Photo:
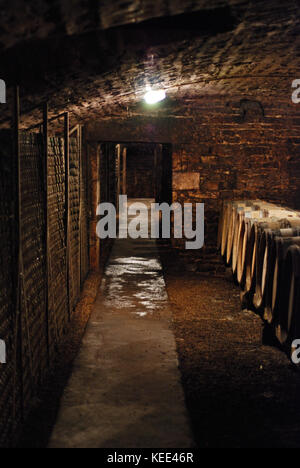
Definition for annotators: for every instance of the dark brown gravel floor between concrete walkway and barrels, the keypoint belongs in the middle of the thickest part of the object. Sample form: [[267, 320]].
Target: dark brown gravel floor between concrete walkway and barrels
[[239, 392]]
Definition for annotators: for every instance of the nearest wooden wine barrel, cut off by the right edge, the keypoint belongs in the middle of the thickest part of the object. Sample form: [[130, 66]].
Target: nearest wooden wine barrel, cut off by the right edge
[[288, 327]]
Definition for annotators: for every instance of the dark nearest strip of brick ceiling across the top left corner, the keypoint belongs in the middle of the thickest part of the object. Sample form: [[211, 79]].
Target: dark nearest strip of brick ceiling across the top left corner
[[24, 20]]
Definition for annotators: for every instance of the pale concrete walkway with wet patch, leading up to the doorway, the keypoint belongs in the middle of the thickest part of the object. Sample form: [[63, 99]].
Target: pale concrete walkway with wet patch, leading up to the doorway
[[125, 389]]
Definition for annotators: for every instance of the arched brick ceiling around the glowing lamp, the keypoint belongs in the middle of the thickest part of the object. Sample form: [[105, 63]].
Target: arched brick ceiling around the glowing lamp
[[96, 62]]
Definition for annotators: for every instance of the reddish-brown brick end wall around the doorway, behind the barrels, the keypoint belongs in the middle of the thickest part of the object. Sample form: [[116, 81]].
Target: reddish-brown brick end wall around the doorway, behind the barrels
[[223, 148]]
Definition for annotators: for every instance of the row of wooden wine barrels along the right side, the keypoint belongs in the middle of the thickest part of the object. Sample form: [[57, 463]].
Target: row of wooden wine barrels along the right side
[[260, 241]]
